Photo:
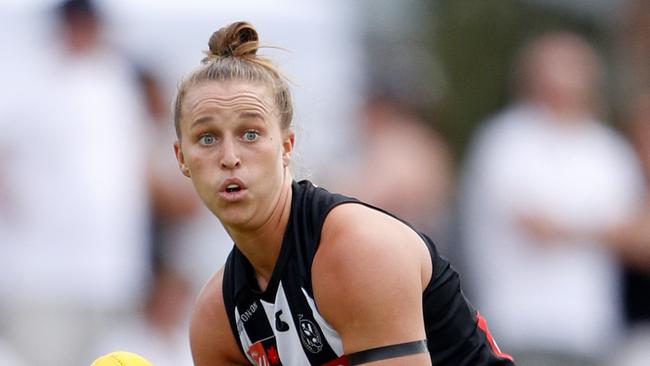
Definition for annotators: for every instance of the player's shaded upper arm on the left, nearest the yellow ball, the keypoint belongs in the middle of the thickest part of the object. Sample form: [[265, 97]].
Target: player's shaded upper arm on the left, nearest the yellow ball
[[211, 337]]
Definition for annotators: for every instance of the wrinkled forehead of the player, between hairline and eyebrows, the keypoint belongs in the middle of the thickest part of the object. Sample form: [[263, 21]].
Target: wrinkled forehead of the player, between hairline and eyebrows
[[228, 94]]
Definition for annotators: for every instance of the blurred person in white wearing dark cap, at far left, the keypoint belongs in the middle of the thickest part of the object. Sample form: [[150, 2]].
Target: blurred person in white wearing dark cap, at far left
[[74, 227]]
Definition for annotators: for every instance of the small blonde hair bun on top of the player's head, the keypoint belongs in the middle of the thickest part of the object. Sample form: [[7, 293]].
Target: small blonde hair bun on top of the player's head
[[235, 40]]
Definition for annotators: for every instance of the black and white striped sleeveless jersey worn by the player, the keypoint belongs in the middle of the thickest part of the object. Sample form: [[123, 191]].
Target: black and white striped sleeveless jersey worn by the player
[[282, 325]]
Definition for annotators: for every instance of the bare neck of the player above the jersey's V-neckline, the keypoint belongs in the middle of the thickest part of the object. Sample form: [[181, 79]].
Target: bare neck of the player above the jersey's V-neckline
[[262, 245]]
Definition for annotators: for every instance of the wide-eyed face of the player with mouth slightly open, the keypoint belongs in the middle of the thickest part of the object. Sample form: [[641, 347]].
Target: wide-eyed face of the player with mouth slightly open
[[233, 148]]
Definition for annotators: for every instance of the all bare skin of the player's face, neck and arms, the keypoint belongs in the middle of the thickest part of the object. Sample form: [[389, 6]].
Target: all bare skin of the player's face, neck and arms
[[231, 136]]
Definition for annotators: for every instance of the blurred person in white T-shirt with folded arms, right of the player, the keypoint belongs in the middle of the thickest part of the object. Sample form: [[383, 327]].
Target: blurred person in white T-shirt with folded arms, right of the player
[[542, 175]]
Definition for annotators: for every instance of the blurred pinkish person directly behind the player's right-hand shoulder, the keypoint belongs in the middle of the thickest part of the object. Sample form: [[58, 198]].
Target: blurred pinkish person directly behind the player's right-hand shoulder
[[403, 166]]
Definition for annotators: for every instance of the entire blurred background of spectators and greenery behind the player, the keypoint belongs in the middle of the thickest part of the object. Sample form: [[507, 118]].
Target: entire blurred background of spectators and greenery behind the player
[[516, 133]]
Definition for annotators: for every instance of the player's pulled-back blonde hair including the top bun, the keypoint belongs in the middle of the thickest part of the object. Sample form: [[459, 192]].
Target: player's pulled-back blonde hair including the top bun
[[232, 55]]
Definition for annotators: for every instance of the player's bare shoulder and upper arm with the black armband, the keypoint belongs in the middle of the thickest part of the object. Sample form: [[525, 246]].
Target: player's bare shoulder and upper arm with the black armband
[[368, 277]]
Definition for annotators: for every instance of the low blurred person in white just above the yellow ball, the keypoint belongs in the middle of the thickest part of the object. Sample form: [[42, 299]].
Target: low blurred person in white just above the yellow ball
[[160, 331]]
